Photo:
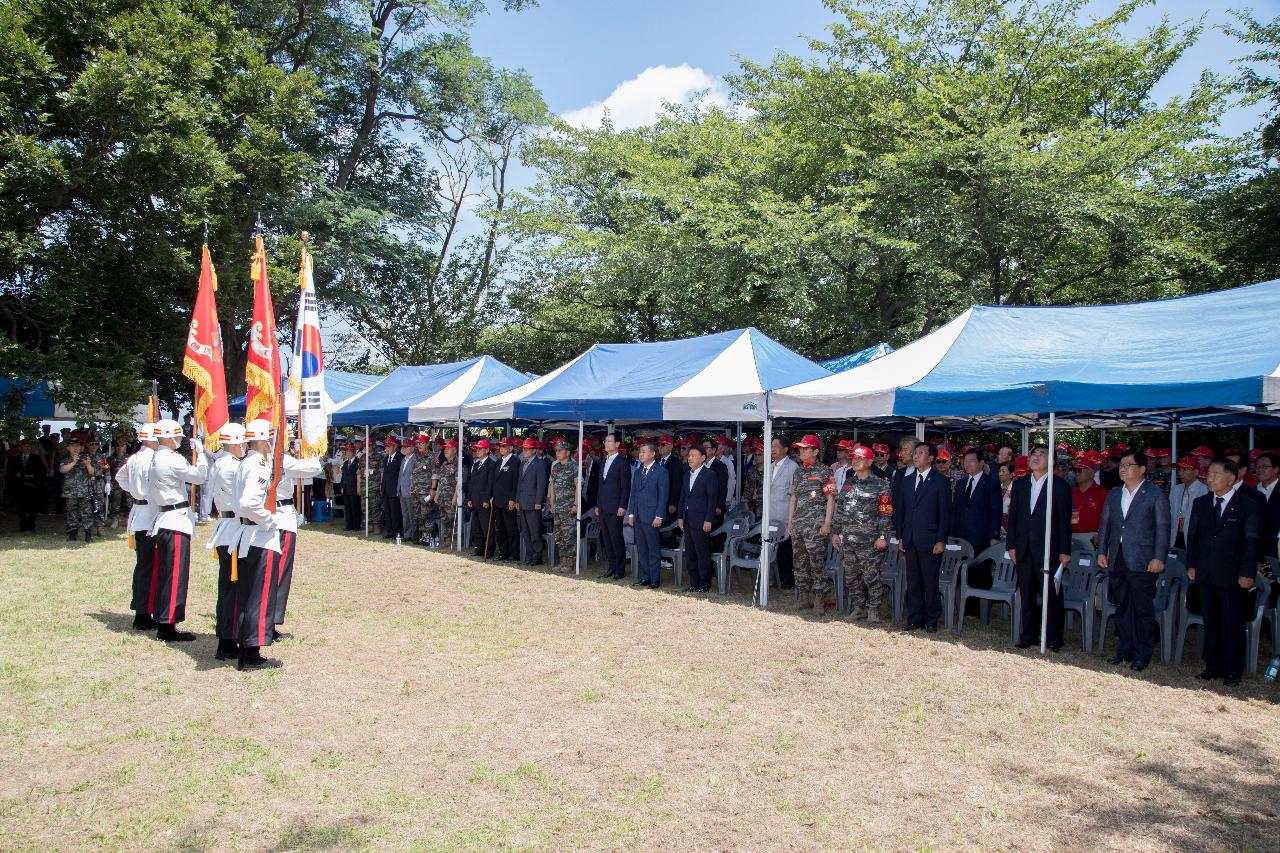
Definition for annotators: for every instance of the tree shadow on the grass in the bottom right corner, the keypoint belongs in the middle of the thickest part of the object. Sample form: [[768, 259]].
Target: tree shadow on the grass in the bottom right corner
[[1228, 810]]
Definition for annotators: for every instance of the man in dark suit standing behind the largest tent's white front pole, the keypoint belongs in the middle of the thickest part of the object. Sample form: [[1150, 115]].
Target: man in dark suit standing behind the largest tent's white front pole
[[1028, 503]]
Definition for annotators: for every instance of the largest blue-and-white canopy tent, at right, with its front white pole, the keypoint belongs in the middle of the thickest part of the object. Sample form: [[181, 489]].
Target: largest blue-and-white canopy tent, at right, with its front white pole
[[1215, 350]]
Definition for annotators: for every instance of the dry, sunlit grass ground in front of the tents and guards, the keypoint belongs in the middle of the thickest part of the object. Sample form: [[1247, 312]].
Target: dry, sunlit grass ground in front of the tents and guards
[[431, 703]]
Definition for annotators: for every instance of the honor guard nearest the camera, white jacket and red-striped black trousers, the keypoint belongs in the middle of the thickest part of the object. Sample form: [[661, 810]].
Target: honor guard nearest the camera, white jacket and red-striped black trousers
[[258, 550]]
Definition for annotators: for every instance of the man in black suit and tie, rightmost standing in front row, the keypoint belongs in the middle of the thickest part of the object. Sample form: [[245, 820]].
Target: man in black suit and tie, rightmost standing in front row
[[1222, 559]]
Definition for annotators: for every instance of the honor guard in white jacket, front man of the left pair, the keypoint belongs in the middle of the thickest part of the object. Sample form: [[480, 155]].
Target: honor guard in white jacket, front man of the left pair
[[167, 487]]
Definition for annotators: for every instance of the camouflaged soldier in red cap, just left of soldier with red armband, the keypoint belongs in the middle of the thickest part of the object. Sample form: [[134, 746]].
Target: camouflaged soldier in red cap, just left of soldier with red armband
[[810, 524]]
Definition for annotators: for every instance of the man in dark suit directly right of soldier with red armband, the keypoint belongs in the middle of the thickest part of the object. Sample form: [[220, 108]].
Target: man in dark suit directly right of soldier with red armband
[[922, 519]]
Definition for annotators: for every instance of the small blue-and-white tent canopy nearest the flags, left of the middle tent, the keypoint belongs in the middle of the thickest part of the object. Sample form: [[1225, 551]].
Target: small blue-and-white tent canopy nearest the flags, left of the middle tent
[[427, 393]]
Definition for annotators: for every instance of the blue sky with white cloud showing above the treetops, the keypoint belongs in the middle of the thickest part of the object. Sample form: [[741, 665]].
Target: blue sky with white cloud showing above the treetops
[[634, 54]]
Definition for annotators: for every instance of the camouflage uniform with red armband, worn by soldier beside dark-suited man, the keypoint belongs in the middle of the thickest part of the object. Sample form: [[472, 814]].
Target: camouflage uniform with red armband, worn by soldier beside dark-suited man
[[865, 513]]
